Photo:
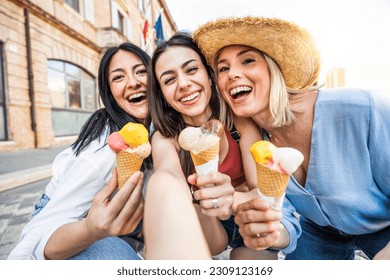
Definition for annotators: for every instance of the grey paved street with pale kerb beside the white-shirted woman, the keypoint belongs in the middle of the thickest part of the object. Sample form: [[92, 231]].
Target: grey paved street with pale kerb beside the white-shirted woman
[[24, 175]]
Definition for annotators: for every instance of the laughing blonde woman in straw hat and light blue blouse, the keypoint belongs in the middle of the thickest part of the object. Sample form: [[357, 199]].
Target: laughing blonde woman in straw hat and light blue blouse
[[267, 70]]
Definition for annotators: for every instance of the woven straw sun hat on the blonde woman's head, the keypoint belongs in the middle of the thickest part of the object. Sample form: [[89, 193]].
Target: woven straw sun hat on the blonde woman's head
[[292, 47]]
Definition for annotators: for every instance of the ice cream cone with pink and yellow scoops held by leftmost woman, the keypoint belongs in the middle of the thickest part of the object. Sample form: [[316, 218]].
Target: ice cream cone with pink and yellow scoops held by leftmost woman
[[131, 146]]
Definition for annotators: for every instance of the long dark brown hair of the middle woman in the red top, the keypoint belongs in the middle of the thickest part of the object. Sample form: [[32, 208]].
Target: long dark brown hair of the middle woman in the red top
[[167, 120]]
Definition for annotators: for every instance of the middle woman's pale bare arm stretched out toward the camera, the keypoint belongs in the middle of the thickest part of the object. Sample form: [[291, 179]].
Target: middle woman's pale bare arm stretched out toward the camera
[[171, 226]]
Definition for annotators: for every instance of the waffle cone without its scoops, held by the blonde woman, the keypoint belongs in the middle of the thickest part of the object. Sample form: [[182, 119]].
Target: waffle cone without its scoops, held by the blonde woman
[[271, 183]]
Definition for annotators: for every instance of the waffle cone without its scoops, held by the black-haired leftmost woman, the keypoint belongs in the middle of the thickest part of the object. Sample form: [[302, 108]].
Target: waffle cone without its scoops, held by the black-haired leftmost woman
[[126, 164]]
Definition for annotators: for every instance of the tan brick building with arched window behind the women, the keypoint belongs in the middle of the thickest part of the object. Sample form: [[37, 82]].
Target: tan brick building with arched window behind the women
[[49, 56]]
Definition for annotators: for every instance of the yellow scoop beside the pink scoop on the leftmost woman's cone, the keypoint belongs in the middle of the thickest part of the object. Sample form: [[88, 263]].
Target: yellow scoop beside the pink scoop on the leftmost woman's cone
[[134, 134]]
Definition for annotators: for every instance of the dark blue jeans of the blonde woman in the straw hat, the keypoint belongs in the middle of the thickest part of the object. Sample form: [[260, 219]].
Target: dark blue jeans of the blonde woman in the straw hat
[[328, 243]]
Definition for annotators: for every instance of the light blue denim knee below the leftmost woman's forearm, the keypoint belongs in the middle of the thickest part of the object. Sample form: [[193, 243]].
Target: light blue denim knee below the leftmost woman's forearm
[[109, 248]]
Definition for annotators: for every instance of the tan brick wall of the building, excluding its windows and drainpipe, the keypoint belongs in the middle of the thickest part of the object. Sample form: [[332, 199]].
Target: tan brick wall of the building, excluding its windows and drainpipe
[[57, 32]]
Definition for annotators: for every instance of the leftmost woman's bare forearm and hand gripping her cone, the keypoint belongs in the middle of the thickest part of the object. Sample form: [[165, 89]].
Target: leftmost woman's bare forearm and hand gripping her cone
[[106, 217]]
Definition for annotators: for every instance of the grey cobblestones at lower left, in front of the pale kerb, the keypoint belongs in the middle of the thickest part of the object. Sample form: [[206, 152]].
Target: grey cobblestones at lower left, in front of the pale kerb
[[16, 206]]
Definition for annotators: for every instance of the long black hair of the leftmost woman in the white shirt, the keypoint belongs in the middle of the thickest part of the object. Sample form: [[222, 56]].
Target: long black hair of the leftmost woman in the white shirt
[[112, 115]]
